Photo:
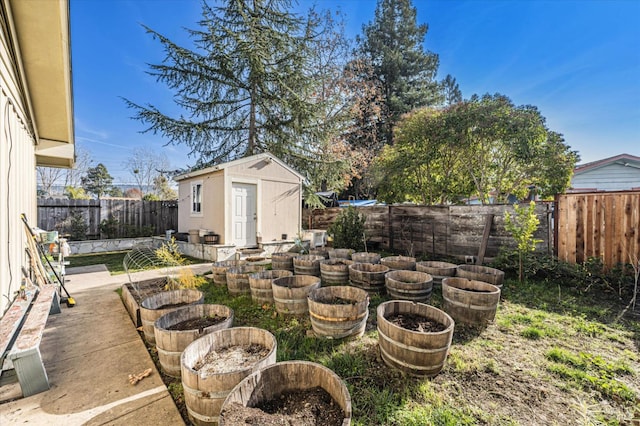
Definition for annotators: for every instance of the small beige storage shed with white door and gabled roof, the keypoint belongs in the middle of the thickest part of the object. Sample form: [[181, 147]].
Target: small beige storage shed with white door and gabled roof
[[245, 201]]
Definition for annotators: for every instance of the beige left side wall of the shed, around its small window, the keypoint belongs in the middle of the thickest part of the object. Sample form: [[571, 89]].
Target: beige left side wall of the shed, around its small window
[[212, 214]]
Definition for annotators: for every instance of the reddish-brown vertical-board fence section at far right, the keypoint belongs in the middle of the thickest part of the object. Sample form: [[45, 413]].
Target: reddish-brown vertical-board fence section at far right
[[603, 225]]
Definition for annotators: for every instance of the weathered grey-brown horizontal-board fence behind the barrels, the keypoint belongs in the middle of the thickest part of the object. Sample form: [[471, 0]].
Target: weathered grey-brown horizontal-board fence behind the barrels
[[439, 231]]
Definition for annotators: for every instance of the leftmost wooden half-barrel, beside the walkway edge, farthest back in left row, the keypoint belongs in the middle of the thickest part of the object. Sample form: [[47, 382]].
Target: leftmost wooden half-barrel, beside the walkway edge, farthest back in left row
[[153, 307]]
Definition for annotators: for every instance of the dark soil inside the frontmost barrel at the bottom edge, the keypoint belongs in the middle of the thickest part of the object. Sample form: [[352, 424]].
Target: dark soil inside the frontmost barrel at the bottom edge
[[311, 407]]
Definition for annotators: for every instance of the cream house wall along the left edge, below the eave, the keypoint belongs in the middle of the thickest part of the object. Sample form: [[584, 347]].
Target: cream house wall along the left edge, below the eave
[[17, 177]]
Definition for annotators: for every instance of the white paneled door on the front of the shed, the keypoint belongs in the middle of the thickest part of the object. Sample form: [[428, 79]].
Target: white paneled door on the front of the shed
[[244, 214]]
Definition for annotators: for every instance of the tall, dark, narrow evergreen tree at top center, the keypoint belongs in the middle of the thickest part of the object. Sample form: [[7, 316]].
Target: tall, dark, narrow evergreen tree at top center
[[393, 43]]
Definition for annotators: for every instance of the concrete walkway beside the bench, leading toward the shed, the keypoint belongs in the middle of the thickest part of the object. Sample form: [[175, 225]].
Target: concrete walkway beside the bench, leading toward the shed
[[89, 351]]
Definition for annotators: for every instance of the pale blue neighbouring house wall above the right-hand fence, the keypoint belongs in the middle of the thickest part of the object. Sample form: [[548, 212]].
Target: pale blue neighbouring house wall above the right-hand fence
[[611, 177]]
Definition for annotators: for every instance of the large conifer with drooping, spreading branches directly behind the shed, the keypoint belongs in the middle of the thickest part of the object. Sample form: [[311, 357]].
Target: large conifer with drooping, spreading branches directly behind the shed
[[243, 89]]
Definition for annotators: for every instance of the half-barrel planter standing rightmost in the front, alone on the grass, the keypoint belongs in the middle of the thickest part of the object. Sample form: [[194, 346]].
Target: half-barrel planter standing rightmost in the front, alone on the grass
[[419, 352]]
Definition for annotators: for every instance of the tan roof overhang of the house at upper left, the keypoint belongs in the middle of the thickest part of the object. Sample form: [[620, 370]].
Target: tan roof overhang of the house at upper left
[[44, 56]]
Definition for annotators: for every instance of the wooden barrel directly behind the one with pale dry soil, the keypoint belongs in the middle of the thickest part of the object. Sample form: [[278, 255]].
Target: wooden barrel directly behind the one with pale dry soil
[[176, 330]]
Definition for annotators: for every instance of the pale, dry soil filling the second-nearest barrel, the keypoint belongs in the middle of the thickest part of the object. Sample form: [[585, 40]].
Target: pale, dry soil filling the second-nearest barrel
[[231, 358]]
